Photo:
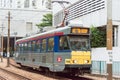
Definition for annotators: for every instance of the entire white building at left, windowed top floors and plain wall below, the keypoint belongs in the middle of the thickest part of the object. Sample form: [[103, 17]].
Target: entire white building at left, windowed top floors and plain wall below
[[25, 14]]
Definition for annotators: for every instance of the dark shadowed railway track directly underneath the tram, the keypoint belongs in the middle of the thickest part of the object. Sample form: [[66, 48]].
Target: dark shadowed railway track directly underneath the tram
[[59, 76]]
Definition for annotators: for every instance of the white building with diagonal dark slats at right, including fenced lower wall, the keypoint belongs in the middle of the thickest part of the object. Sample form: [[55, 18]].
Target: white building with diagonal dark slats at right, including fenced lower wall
[[94, 12]]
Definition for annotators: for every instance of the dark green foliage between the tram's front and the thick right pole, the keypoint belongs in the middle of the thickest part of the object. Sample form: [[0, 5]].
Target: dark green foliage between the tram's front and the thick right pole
[[98, 37]]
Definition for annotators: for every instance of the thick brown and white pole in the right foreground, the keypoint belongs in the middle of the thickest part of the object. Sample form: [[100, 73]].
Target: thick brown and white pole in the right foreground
[[109, 39]]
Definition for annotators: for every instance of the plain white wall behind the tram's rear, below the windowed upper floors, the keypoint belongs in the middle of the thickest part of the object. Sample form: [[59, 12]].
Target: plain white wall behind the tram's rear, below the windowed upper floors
[[22, 21]]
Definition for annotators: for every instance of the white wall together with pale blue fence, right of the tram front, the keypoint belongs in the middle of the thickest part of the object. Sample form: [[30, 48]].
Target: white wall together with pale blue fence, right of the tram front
[[100, 58]]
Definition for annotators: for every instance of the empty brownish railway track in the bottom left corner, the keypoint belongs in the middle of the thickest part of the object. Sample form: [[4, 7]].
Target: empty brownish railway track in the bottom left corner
[[13, 75]]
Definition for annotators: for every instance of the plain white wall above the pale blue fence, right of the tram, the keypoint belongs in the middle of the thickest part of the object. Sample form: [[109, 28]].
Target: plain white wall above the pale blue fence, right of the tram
[[101, 54]]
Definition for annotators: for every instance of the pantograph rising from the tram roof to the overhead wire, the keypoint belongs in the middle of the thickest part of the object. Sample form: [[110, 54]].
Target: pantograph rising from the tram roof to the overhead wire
[[66, 12]]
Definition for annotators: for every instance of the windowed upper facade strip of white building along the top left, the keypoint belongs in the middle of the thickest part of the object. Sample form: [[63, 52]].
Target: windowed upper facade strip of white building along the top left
[[25, 4]]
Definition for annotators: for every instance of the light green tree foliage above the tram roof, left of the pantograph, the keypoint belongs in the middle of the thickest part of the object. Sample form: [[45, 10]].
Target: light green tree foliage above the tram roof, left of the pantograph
[[46, 21]]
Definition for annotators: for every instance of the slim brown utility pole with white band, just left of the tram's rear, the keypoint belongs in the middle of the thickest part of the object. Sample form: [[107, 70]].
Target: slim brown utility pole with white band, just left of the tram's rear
[[8, 41]]
